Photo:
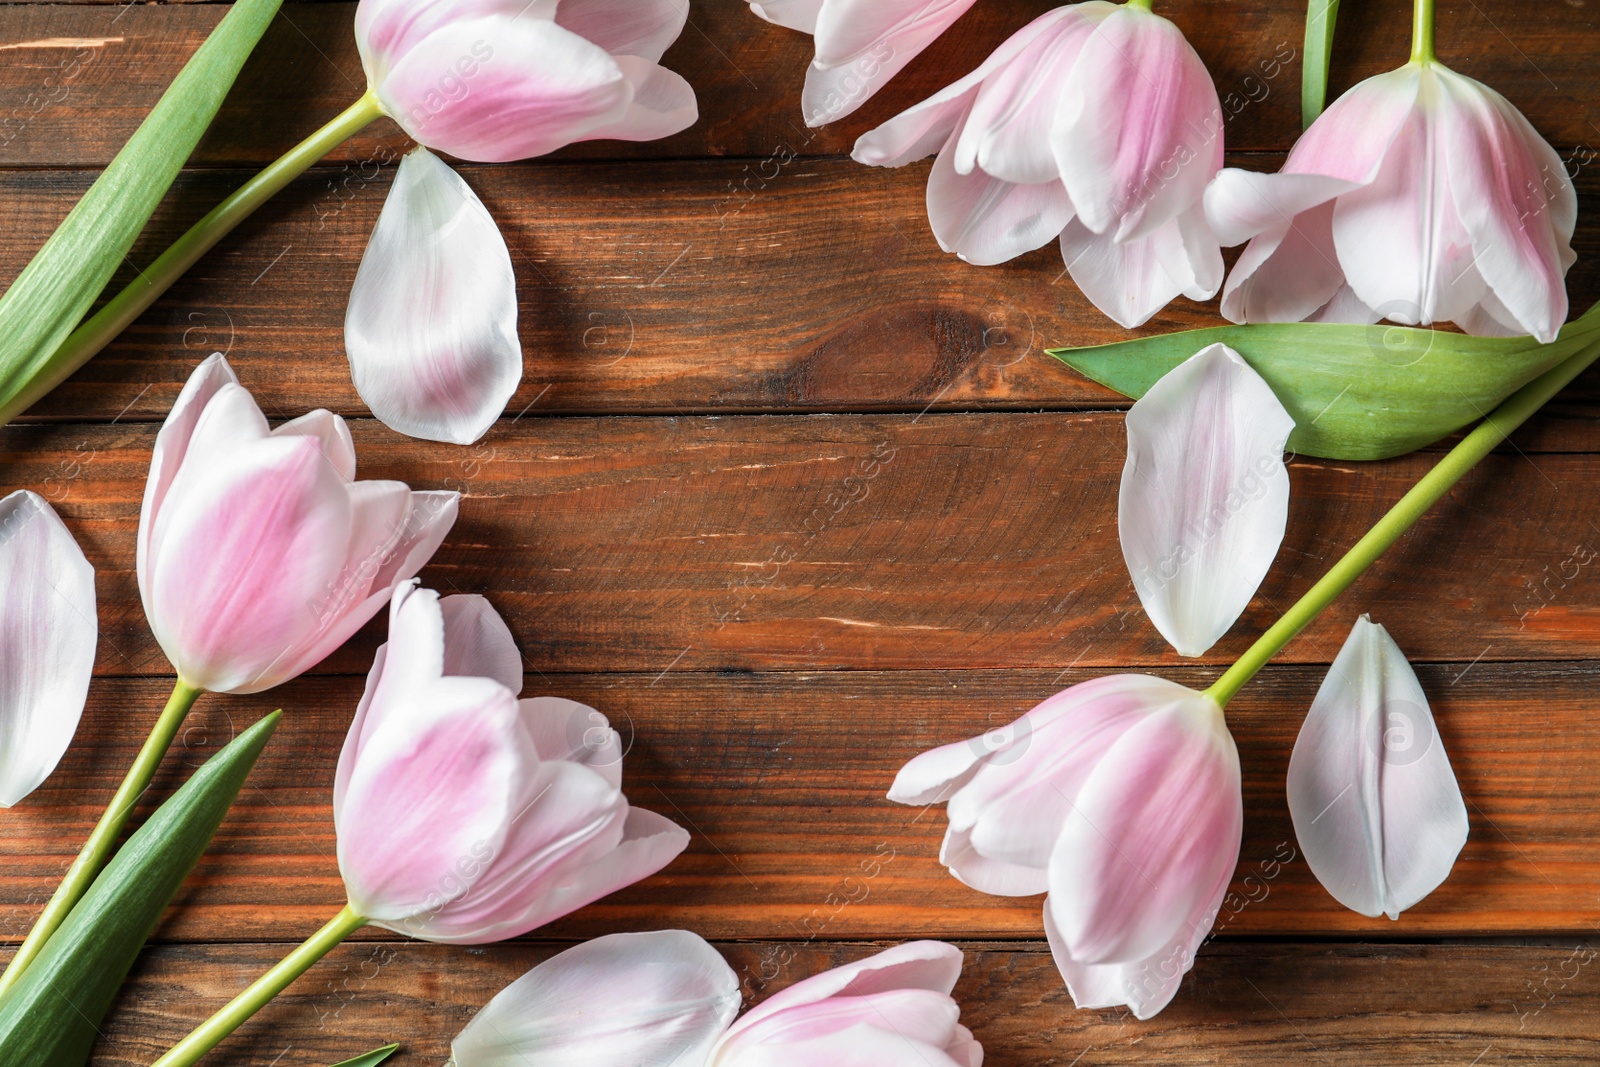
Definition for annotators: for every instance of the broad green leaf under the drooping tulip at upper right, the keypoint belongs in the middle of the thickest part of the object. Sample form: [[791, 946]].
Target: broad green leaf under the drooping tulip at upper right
[[1356, 393]]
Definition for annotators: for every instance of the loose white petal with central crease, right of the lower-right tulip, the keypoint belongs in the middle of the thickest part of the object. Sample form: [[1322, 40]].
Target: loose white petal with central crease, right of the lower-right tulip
[[1375, 804]]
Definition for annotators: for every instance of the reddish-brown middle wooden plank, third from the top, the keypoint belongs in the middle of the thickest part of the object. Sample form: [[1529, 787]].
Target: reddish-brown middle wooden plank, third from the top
[[818, 543]]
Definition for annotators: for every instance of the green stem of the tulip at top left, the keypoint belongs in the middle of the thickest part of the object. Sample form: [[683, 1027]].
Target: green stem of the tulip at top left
[[103, 327]]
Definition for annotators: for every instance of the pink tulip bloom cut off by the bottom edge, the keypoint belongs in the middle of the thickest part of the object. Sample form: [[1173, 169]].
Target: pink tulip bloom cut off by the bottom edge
[[892, 1010]]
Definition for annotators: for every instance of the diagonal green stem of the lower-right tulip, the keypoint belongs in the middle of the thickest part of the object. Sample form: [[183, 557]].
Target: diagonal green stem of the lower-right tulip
[[1434, 486]]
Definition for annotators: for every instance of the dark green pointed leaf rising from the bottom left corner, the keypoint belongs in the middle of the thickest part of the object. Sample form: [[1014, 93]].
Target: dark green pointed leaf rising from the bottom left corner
[[52, 1017]]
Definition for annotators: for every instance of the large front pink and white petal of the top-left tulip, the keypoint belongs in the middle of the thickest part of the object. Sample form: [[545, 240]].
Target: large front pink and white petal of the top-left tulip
[[502, 89]]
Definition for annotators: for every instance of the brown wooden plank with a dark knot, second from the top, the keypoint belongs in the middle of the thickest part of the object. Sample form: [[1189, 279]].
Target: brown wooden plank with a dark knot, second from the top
[[642, 290]]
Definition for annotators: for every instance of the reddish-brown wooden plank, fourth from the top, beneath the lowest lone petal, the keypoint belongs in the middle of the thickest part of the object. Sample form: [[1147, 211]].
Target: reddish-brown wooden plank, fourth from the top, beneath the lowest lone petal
[[782, 780]]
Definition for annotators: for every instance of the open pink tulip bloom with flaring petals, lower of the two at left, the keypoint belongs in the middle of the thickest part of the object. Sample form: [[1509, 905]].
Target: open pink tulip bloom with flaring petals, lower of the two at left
[[466, 815]]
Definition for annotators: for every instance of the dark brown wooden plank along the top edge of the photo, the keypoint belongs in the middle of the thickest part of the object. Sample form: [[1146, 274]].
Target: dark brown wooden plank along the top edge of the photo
[[746, 74]]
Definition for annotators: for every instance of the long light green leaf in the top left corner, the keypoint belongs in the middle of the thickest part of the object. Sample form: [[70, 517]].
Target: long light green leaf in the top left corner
[[62, 282]]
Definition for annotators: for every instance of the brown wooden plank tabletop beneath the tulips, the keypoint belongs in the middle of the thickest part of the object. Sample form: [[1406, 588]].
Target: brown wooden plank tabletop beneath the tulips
[[719, 330]]
